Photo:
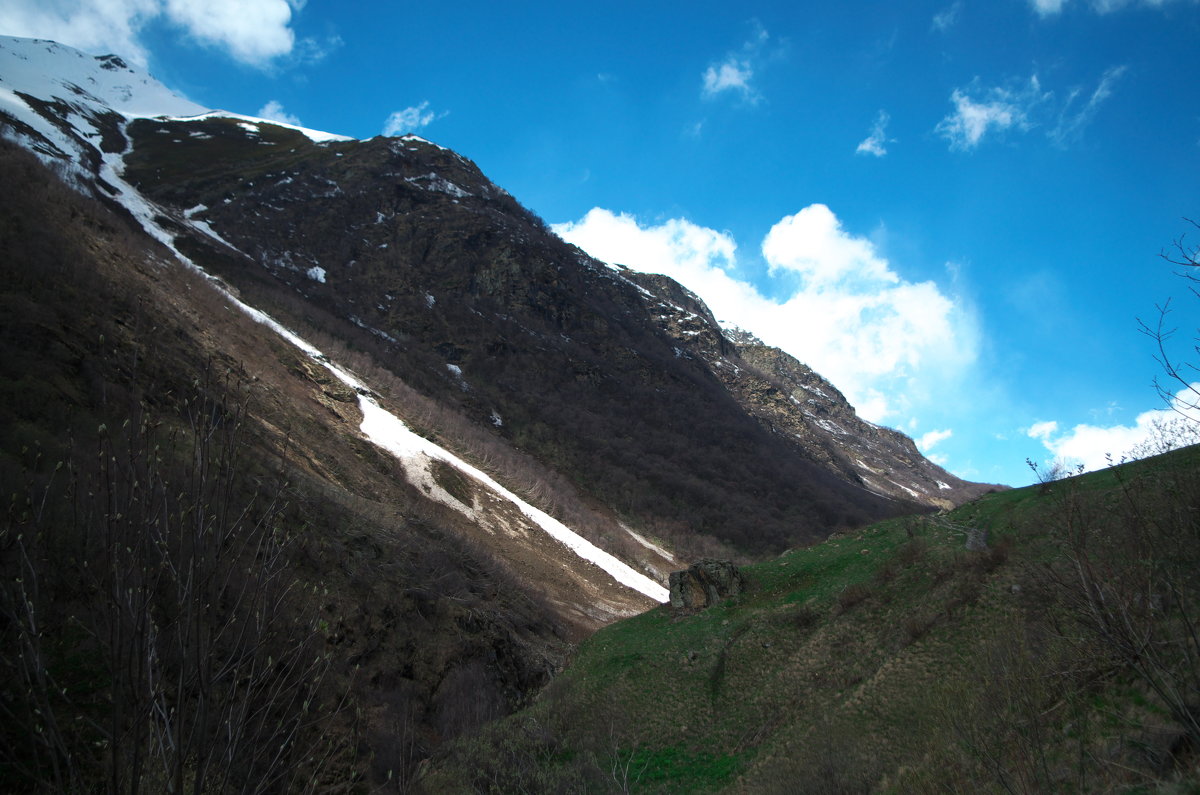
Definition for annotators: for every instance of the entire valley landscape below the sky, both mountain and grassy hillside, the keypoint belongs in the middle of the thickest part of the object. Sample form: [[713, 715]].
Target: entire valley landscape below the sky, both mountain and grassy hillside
[[333, 469]]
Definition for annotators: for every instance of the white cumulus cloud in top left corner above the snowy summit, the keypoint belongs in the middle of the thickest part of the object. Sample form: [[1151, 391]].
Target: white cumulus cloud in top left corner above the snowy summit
[[253, 32]]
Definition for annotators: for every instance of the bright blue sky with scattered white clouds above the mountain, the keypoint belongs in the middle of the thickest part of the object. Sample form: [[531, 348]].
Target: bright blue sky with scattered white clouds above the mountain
[[953, 211]]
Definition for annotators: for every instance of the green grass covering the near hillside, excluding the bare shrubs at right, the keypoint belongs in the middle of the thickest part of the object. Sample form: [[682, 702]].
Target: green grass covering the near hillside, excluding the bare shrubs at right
[[860, 657]]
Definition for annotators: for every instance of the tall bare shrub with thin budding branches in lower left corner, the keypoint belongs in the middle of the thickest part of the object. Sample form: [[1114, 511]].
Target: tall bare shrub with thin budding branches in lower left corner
[[147, 603]]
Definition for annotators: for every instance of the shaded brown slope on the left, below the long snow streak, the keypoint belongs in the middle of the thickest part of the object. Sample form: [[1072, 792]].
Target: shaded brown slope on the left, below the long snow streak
[[419, 626]]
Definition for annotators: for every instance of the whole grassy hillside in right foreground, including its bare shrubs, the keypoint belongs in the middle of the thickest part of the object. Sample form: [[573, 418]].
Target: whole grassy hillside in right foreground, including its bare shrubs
[[1060, 656]]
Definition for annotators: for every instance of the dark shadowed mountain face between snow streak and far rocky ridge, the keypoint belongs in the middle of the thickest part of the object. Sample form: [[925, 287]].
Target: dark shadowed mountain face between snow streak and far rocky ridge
[[409, 250]]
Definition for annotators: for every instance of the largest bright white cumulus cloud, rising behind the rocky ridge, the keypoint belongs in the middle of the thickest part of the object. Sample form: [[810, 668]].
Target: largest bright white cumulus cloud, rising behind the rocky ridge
[[883, 340]]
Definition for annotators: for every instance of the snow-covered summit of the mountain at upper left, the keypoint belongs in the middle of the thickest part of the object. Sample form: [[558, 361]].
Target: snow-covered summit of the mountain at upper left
[[51, 71]]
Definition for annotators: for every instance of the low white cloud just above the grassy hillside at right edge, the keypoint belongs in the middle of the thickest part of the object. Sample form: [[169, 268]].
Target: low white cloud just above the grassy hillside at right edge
[[1096, 446]]
